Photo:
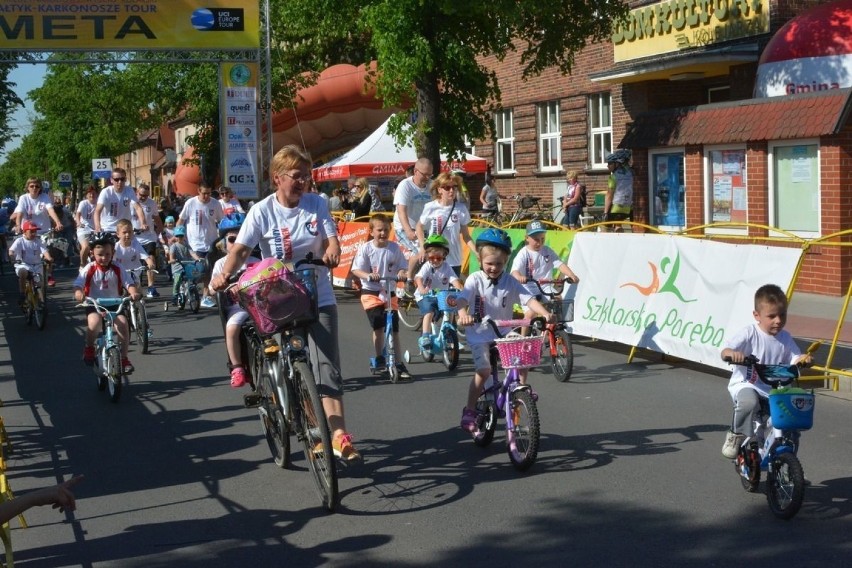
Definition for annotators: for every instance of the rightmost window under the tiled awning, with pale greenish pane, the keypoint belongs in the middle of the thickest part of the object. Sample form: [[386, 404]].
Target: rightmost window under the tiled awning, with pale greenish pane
[[795, 196]]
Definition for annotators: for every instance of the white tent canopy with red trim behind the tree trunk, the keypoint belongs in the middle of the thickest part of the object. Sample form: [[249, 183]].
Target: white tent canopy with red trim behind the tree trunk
[[378, 156]]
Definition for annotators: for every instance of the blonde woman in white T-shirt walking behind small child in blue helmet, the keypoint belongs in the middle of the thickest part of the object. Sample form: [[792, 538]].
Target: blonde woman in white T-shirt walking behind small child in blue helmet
[[446, 215]]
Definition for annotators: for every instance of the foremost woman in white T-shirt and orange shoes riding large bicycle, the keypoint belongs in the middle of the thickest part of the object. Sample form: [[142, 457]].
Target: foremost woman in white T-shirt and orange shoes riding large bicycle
[[288, 225]]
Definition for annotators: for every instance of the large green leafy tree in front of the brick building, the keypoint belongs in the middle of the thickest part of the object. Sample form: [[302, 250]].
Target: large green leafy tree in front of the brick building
[[432, 51]]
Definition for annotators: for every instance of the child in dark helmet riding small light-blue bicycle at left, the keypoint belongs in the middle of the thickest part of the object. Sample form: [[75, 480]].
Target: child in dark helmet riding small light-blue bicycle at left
[[102, 278]]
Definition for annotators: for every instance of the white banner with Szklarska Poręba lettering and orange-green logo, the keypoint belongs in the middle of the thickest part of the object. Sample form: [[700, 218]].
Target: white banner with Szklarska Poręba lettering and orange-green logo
[[670, 294]]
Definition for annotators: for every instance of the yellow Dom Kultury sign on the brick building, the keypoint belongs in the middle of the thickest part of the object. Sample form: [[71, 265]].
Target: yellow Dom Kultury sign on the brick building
[[674, 25]]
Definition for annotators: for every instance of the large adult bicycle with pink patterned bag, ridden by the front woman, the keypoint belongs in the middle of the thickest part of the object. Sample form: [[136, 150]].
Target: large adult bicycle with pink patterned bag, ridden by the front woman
[[285, 390]]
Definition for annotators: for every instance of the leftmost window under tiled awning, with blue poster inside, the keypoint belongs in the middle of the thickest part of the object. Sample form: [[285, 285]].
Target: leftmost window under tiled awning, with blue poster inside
[[667, 189]]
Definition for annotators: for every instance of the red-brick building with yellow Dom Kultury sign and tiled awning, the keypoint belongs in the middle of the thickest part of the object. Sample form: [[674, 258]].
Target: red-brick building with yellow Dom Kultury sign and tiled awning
[[676, 85]]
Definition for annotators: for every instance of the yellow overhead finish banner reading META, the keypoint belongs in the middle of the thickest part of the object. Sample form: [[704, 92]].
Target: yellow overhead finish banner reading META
[[125, 25]]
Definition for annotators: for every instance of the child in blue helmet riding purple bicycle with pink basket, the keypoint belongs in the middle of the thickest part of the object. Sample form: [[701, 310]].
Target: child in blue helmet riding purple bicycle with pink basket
[[490, 292]]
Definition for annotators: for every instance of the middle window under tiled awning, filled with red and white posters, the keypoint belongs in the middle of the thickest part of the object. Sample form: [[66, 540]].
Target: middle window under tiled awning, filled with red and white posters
[[727, 193]]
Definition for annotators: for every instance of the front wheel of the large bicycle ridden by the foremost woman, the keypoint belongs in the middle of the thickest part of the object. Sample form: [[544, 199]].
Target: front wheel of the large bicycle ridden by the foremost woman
[[316, 436]]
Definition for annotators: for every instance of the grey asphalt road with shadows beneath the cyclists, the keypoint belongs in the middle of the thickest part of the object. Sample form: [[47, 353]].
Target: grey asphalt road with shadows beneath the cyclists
[[178, 474]]
